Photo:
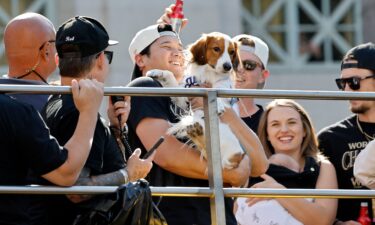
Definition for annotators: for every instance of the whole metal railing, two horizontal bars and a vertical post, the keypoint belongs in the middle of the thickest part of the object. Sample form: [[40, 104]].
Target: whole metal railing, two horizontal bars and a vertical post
[[215, 192]]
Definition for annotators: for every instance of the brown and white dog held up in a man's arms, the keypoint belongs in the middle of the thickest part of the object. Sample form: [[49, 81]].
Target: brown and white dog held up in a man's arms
[[212, 59]]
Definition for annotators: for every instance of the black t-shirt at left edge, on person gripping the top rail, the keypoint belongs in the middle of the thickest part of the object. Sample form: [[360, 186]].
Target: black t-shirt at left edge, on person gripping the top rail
[[25, 145]]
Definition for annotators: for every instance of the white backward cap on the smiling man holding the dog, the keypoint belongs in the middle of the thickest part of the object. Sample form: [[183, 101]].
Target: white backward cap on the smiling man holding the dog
[[145, 37]]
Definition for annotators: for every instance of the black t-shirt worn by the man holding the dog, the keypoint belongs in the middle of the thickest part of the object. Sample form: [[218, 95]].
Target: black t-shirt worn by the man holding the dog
[[176, 210]]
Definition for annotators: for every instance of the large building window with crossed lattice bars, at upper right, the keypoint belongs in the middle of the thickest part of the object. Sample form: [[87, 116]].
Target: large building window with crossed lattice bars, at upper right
[[301, 32]]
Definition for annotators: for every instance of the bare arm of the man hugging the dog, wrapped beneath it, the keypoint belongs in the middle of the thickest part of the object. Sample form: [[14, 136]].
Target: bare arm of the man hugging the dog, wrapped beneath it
[[180, 159]]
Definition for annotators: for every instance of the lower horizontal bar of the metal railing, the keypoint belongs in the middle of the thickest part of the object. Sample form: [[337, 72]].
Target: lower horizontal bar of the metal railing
[[196, 191]]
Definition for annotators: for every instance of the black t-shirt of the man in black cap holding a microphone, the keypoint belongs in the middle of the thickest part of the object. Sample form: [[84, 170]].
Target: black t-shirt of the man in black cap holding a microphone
[[105, 156]]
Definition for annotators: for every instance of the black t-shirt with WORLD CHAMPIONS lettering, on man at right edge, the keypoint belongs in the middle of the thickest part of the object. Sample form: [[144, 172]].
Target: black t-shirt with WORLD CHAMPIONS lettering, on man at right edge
[[341, 143]]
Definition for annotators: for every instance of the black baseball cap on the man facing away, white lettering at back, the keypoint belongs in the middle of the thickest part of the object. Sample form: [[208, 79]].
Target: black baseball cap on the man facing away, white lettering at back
[[80, 37]]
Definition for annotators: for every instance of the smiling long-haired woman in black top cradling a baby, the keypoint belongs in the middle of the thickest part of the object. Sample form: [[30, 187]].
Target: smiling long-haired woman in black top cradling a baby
[[285, 129]]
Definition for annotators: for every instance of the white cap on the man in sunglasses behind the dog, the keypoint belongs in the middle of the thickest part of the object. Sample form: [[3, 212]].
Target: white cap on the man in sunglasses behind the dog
[[260, 48]]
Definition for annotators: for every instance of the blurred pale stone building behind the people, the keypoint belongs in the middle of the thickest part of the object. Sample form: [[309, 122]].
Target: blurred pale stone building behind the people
[[307, 38]]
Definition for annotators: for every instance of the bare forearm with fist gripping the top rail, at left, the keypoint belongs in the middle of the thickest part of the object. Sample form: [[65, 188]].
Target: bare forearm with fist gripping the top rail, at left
[[87, 95]]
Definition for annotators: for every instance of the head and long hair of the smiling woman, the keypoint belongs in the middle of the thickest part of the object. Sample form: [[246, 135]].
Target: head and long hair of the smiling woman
[[287, 128]]
